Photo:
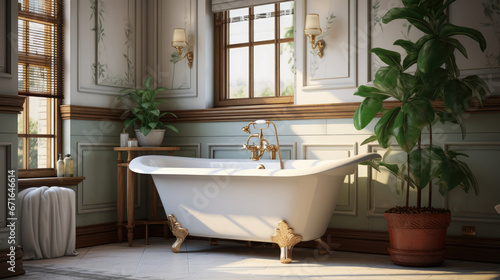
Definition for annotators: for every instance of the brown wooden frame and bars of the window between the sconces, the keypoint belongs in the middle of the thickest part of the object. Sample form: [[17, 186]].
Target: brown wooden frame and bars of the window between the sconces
[[221, 55]]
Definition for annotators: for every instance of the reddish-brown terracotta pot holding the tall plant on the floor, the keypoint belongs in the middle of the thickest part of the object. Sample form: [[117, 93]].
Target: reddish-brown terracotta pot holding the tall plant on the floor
[[417, 239]]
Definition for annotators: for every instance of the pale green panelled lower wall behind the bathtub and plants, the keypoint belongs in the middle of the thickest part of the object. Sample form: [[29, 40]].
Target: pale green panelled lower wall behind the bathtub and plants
[[364, 196]]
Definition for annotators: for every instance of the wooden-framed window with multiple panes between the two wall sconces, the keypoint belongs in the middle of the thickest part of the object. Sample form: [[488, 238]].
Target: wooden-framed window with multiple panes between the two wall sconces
[[254, 55]]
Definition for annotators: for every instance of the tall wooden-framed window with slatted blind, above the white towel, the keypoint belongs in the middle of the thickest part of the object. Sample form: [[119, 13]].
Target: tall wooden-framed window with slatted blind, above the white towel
[[40, 81]]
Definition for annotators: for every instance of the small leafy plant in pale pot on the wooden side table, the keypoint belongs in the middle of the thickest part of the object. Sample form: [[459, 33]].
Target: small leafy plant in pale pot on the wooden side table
[[146, 114]]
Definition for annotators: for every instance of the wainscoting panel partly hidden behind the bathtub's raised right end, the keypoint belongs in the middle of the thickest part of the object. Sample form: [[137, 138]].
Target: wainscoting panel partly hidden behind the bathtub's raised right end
[[348, 197]]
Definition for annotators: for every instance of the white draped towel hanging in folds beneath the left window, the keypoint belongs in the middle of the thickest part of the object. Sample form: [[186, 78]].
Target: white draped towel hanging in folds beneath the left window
[[47, 219]]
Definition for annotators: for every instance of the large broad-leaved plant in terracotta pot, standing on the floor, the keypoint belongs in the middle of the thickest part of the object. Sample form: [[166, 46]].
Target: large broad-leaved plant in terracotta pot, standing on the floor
[[417, 234]]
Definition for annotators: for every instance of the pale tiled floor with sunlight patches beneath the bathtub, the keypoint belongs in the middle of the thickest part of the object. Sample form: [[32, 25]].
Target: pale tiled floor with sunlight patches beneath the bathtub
[[234, 260]]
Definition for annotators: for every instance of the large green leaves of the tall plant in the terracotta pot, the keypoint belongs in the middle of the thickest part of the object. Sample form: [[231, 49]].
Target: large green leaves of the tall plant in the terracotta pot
[[437, 78]]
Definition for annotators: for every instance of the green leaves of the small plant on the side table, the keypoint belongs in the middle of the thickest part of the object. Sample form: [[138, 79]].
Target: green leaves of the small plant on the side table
[[146, 112]]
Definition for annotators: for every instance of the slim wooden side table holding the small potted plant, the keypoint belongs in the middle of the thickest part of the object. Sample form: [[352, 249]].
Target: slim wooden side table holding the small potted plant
[[120, 191]]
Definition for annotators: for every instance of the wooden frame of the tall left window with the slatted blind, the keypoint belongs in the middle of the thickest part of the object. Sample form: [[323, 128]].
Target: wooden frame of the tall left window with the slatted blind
[[54, 126]]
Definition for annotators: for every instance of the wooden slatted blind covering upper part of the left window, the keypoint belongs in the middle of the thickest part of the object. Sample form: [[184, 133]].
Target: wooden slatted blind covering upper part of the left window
[[40, 48]]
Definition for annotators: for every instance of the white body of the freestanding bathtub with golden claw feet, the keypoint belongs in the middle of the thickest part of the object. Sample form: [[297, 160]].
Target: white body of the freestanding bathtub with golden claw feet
[[231, 199]]
